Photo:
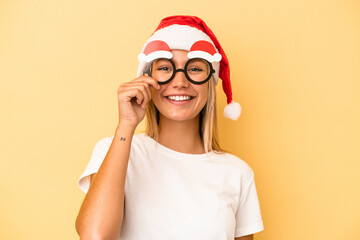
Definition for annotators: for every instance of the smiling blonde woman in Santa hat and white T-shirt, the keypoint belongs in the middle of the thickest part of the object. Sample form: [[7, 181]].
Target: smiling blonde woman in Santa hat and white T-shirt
[[174, 181]]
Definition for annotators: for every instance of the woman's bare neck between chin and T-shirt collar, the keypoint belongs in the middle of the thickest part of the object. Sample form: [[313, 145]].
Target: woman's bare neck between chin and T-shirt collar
[[181, 136]]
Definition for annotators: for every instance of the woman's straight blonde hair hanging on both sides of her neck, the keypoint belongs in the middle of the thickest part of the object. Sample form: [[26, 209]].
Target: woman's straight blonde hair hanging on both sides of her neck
[[208, 128]]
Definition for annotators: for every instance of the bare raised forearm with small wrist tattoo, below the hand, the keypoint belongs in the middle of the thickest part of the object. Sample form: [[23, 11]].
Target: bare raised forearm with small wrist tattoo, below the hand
[[101, 213]]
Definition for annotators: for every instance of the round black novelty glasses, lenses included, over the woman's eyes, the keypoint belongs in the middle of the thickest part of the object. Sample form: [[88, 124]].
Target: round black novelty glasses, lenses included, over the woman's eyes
[[197, 70]]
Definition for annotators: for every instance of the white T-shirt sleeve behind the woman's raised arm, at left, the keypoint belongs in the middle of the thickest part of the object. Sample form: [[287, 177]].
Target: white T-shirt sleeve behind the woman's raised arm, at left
[[99, 152]]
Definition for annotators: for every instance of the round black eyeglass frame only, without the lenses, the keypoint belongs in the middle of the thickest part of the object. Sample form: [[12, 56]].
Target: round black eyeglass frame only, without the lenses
[[212, 71]]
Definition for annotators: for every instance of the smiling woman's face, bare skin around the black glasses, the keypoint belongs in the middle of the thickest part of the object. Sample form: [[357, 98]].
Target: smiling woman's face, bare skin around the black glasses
[[193, 98]]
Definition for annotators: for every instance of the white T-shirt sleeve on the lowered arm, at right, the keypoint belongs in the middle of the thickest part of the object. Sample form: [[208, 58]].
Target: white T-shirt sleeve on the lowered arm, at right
[[248, 215]]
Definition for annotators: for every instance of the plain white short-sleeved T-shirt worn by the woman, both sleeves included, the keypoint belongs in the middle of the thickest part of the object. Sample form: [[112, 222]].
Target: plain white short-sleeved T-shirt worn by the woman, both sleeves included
[[173, 195]]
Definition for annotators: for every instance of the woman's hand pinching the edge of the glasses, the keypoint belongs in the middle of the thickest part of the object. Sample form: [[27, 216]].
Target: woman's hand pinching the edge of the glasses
[[133, 98]]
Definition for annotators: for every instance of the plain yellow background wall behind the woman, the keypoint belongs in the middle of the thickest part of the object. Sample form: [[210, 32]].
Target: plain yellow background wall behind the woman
[[294, 70]]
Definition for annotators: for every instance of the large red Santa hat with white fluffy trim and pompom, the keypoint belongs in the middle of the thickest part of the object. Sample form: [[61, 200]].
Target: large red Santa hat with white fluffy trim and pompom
[[192, 34]]
